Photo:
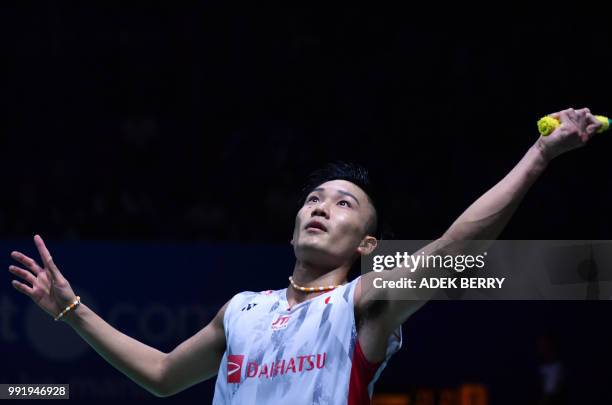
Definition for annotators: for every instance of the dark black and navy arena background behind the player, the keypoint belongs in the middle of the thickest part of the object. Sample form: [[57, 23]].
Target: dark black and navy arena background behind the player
[[131, 130]]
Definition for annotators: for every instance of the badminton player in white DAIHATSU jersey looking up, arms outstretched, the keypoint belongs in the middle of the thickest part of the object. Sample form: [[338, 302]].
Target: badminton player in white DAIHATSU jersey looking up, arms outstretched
[[323, 339]]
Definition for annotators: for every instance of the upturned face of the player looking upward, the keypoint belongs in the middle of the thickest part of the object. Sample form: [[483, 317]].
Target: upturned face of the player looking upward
[[332, 223]]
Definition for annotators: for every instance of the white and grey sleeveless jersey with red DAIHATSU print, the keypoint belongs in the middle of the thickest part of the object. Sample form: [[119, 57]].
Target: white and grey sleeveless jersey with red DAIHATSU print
[[307, 354]]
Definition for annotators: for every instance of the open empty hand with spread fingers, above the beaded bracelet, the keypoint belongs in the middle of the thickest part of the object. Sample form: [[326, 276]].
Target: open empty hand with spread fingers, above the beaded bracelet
[[49, 289]]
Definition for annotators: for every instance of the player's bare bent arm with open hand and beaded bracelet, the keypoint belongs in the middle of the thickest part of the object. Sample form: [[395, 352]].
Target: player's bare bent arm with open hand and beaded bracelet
[[162, 374]]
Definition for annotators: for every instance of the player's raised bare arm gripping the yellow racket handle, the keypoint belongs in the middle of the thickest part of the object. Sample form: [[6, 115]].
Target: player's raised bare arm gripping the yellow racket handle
[[483, 220]]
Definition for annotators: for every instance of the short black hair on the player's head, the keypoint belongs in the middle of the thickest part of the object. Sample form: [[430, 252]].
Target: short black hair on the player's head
[[359, 176]]
